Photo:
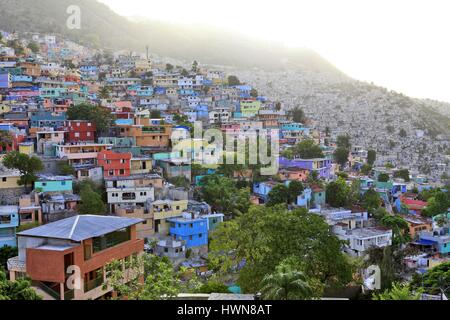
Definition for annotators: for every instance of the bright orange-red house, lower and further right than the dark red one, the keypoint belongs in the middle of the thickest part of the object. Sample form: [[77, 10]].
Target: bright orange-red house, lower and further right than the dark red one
[[115, 164]]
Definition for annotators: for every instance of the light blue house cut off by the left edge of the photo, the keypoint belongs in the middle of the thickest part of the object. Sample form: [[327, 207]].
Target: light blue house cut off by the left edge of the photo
[[9, 221]]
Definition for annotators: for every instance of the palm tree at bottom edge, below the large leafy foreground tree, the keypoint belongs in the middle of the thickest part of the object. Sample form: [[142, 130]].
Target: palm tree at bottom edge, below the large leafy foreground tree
[[285, 284]]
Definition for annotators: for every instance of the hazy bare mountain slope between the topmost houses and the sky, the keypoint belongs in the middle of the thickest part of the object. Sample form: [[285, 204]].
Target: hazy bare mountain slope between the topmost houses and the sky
[[104, 28]]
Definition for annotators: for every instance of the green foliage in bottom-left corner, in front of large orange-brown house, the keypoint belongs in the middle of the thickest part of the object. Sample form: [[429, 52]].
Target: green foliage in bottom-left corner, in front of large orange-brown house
[[16, 290]]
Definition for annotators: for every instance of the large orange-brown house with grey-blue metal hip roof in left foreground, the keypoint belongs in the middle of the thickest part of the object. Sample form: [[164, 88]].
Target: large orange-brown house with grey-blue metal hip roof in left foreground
[[58, 254]]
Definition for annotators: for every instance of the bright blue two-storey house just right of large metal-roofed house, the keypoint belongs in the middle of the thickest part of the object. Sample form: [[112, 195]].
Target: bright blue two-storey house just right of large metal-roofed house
[[190, 228]]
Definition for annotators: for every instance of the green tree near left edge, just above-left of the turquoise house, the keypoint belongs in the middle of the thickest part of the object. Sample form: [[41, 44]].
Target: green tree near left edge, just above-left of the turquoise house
[[26, 165]]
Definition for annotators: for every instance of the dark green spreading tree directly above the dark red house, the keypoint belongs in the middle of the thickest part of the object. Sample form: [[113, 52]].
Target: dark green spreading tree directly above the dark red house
[[102, 117]]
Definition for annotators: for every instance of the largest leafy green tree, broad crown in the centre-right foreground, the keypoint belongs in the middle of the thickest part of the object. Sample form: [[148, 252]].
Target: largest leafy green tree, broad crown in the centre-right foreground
[[266, 236]]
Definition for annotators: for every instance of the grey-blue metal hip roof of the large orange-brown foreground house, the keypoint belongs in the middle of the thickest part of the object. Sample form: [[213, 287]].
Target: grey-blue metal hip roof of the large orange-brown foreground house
[[80, 228]]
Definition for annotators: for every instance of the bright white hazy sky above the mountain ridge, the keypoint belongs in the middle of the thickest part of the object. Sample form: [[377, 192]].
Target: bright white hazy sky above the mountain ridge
[[400, 44]]
